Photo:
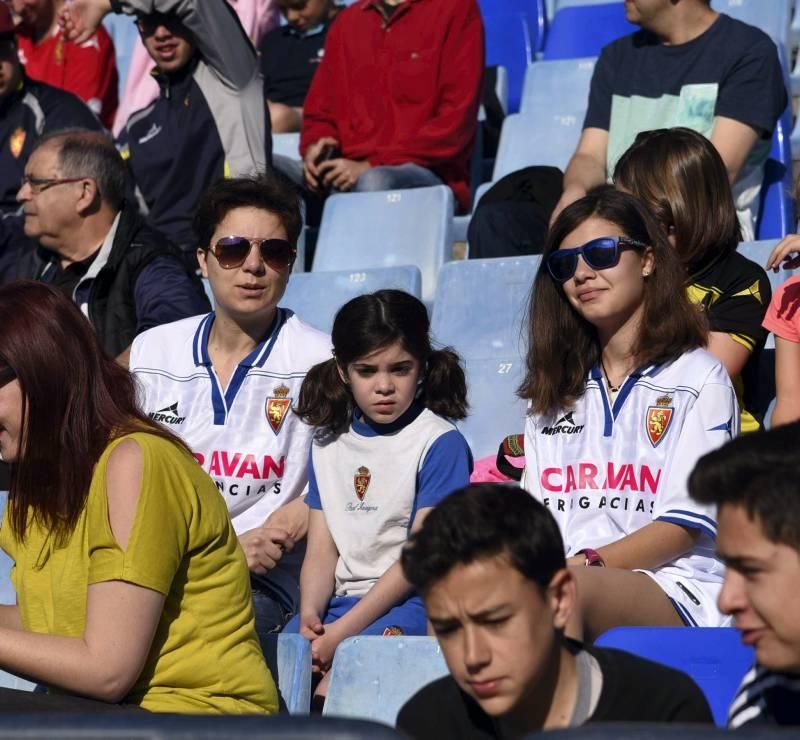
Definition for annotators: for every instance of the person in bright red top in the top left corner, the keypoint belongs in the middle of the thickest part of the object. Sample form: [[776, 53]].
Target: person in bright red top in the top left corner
[[89, 69]]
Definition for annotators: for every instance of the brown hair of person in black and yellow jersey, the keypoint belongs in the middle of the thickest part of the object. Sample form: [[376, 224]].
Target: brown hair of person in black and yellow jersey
[[681, 178]]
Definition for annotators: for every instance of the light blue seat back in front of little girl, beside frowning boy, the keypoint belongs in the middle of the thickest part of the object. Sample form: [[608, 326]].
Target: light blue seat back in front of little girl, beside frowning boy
[[373, 677]]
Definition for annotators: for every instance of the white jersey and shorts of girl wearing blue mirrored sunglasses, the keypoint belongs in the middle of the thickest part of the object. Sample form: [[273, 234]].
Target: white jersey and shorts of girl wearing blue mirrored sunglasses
[[605, 470]]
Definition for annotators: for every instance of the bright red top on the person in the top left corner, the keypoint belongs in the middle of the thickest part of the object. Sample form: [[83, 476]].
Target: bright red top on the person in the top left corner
[[88, 70]]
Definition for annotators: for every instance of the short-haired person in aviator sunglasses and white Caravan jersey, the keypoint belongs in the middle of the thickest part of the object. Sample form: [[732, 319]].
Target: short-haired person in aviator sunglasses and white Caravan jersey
[[226, 382]]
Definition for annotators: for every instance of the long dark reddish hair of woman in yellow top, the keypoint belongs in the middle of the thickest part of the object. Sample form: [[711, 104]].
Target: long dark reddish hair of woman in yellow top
[[75, 400]]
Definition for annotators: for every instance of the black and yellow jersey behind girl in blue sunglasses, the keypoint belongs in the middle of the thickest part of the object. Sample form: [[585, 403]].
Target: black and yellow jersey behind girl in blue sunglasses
[[734, 292]]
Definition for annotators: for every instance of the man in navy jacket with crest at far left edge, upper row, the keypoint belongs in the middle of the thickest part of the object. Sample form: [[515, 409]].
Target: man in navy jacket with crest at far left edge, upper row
[[28, 110]]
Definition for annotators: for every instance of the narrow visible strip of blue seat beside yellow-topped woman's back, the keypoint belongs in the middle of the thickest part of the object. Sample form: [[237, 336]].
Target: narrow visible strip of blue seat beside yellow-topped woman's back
[[288, 658]]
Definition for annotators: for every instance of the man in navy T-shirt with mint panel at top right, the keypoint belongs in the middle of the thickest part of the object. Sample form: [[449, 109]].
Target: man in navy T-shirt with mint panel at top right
[[687, 66]]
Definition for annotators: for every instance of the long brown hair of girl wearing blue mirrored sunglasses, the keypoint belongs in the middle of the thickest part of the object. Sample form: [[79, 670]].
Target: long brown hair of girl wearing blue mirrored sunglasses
[[563, 346]]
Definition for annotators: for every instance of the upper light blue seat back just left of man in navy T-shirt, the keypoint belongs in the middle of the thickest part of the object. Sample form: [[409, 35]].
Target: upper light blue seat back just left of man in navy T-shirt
[[559, 86]]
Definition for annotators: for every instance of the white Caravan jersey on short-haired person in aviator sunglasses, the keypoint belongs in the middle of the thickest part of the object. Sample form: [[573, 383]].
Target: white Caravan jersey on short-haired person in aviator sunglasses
[[245, 436]]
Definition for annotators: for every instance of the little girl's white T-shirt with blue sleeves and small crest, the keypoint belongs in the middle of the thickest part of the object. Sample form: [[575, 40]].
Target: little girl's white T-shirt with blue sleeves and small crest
[[371, 480]]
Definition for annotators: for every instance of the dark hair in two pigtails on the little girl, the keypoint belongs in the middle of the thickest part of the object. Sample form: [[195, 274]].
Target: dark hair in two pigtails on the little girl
[[368, 323]]
